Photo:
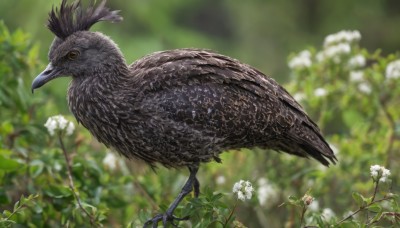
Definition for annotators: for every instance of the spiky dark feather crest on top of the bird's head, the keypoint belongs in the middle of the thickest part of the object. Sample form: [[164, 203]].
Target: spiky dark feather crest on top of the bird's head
[[70, 18]]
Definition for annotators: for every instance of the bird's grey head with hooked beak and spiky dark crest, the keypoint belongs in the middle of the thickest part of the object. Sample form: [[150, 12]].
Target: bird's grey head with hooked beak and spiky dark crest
[[75, 50]]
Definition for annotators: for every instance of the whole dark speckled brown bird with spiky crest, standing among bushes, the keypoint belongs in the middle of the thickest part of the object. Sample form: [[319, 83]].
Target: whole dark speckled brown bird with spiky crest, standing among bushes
[[176, 108]]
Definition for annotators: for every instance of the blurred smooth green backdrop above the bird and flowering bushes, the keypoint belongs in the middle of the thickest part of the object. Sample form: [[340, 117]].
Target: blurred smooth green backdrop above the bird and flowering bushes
[[258, 32]]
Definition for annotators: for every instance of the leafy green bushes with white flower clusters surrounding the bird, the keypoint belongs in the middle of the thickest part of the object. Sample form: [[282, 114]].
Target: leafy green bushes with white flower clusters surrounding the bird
[[350, 91]]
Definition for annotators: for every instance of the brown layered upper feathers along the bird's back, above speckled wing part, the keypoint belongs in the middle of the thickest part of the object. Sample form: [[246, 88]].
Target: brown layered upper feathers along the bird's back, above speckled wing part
[[190, 67]]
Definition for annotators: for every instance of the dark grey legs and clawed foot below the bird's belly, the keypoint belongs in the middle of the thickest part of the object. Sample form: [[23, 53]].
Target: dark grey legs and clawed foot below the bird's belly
[[191, 183]]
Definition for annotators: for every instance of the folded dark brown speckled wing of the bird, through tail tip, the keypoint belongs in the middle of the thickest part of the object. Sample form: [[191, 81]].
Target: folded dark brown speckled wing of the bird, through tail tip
[[221, 97]]
